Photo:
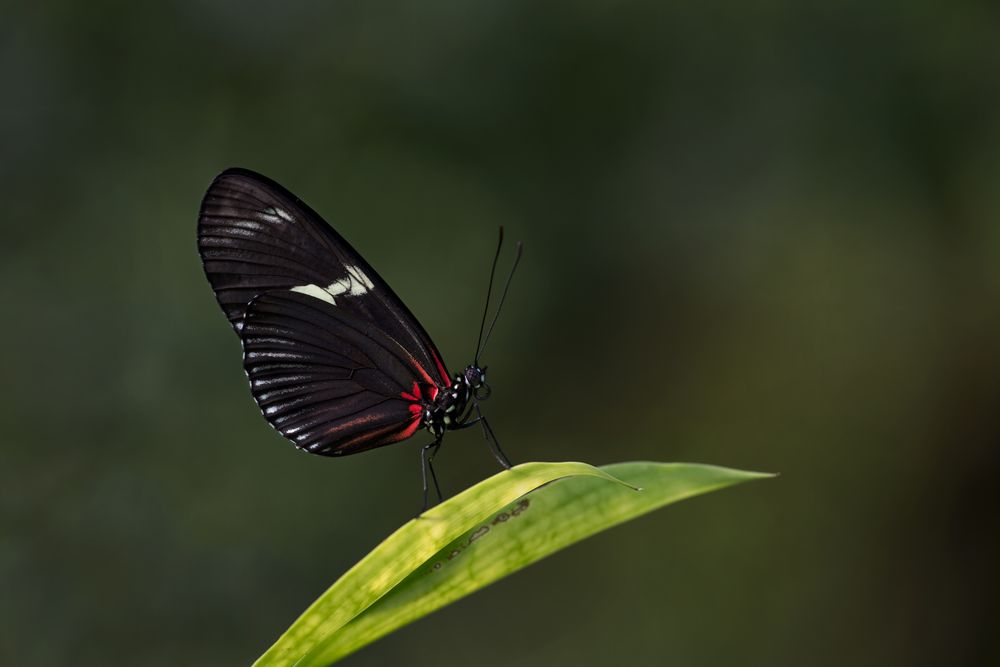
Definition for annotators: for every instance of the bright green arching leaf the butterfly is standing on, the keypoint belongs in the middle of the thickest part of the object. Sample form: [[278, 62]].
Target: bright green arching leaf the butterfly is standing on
[[484, 533]]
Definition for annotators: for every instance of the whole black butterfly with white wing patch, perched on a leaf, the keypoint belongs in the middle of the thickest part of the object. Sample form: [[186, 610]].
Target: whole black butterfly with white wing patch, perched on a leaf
[[336, 362]]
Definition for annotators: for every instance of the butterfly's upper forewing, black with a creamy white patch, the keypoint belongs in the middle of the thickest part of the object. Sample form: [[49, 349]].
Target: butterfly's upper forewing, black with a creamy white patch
[[254, 236]]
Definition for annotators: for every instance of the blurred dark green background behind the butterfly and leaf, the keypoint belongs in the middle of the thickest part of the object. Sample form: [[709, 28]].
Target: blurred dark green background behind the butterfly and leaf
[[760, 235]]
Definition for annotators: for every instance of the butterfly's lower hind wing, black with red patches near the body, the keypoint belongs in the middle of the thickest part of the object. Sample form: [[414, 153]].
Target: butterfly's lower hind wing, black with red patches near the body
[[330, 382]]
